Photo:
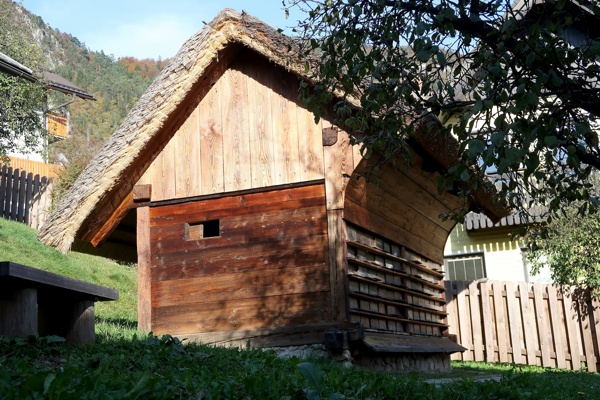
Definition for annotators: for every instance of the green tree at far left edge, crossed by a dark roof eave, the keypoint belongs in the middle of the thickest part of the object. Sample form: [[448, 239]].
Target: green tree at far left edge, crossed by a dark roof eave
[[21, 126]]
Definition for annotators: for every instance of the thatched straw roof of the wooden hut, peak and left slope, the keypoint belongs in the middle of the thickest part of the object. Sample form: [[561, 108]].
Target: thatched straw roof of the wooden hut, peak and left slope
[[109, 178]]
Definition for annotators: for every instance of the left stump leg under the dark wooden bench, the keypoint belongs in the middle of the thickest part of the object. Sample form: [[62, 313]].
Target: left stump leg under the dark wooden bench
[[18, 313]]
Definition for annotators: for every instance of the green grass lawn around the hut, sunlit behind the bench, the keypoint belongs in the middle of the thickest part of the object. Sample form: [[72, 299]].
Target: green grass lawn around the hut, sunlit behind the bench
[[127, 364]]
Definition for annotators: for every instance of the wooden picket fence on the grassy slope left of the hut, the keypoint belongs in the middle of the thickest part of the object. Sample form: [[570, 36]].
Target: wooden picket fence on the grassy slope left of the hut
[[24, 197]]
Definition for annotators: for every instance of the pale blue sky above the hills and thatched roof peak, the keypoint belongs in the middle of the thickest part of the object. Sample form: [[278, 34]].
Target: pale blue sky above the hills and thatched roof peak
[[146, 28]]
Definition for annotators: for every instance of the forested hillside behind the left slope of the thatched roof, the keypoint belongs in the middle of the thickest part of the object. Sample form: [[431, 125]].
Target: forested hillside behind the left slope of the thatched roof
[[115, 83]]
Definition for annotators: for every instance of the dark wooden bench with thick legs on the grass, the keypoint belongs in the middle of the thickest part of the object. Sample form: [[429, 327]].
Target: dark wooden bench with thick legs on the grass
[[36, 302]]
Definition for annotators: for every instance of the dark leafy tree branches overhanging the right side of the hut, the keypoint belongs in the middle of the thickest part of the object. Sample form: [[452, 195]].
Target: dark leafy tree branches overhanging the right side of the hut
[[517, 82]]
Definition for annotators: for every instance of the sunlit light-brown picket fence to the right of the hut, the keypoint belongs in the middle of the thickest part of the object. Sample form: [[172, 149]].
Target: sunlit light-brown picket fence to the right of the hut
[[525, 323]]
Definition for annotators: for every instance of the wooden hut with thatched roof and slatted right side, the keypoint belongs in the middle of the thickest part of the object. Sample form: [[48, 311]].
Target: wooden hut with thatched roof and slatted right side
[[249, 221]]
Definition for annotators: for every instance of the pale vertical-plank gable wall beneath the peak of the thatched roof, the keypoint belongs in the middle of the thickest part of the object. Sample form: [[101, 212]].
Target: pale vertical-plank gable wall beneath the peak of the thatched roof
[[251, 131]]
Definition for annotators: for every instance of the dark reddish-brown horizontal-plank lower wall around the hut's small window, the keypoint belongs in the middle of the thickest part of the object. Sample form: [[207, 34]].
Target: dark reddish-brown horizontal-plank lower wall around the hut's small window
[[268, 268]]
